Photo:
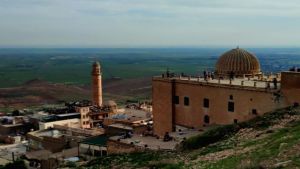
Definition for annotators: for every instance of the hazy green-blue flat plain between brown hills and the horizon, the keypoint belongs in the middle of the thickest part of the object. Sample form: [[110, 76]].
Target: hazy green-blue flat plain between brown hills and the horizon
[[73, 66]]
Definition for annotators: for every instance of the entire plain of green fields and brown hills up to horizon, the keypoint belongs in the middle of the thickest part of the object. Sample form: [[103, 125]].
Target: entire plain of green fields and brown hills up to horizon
[[30, 77]]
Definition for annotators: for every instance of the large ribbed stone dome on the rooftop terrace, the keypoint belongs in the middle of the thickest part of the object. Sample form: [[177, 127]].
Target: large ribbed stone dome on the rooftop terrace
[[238, 62]]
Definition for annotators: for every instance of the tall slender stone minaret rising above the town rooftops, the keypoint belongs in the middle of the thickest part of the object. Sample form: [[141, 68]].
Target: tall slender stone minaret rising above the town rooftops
[[97, 84]]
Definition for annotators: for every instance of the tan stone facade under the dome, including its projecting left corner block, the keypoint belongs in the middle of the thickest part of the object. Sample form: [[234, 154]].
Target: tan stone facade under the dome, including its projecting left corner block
[[245, 100]]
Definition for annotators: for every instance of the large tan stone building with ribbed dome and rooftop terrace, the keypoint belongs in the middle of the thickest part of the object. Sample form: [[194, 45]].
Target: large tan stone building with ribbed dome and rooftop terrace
[[237, 91]]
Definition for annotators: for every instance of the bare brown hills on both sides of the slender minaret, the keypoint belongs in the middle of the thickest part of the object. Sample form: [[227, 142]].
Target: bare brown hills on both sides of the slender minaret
[[38, 92]]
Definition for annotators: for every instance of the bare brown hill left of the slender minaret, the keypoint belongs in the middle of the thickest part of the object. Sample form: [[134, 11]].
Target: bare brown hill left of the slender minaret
[[37, 92]]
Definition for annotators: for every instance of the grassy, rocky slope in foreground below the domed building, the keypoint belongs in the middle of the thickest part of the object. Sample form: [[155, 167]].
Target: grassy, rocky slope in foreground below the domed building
[[269, 141]]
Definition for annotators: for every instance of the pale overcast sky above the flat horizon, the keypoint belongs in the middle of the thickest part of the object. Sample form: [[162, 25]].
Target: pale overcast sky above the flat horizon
[[149, 23]]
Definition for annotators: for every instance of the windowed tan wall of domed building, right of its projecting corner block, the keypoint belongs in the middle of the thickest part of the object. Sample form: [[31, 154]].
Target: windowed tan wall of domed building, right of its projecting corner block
[[244, 102]]
